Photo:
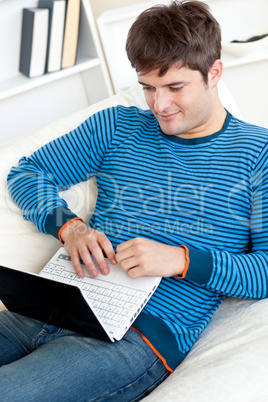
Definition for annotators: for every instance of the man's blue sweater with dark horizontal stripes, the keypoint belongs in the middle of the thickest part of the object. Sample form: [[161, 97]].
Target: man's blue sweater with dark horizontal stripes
[[207, 193]]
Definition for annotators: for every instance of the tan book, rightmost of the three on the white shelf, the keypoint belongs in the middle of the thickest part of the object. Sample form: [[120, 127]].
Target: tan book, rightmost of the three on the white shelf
[[71, 33]]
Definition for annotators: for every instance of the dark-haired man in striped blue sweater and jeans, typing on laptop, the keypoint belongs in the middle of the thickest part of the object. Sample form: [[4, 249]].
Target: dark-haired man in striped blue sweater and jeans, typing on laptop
[[181, 194]]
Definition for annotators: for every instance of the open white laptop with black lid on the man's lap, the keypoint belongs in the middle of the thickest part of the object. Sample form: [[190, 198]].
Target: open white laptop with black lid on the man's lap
[[102, 307]]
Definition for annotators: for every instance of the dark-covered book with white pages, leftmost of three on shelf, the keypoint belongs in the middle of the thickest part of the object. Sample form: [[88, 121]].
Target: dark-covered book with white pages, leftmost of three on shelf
[[34, 36]]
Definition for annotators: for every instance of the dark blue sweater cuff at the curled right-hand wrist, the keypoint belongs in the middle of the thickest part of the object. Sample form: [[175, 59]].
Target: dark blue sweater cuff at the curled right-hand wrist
[[200, 266]]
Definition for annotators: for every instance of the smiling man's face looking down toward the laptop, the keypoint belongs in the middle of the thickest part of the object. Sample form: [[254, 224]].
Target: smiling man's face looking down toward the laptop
[[180, 100]]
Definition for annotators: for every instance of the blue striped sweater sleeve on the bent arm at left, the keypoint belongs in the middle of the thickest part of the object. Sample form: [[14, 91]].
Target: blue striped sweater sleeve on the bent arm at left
[[35, 184]]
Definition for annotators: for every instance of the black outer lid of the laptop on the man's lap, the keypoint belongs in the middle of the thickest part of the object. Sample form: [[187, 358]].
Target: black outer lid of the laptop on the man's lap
[[49, 301]]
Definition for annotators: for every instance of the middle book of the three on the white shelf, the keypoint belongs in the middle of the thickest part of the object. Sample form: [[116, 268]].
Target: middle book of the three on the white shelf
[[55, 32]]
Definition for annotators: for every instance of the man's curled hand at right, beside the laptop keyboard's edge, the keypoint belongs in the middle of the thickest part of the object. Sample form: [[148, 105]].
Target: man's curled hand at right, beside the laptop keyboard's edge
[[143, 257]]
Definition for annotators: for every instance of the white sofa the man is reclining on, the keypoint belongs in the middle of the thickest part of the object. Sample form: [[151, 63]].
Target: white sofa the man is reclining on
[[229, 362]]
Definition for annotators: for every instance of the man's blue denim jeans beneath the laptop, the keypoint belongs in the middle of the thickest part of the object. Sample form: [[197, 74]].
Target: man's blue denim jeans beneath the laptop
[[41, 362]]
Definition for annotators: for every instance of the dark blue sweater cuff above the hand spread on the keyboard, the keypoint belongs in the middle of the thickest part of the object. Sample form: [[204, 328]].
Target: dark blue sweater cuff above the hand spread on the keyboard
[[57, 218]]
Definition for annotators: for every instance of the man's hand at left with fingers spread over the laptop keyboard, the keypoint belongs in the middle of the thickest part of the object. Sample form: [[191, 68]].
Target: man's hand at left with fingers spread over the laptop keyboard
[[80, 240]]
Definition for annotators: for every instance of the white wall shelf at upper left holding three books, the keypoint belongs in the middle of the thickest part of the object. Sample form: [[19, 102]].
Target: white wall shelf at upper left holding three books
[[86, 82]]
